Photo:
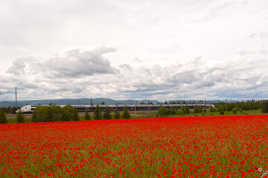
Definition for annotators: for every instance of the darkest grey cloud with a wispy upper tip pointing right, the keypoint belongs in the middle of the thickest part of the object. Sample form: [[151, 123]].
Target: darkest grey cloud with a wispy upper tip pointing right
[[76, 63]]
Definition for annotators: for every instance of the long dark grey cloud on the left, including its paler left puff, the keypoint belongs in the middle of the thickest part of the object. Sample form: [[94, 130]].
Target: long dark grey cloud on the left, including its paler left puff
[[71, 64]]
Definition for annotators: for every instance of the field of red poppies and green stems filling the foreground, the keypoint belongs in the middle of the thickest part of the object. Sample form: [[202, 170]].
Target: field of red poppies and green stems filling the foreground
[[223, 146]]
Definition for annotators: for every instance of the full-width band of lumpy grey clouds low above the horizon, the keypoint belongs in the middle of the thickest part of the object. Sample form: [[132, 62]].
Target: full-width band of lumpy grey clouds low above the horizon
[[71, 75]]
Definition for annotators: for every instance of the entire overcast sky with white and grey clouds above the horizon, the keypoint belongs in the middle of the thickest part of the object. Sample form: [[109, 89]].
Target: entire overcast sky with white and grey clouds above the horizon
[[126, 49]]
